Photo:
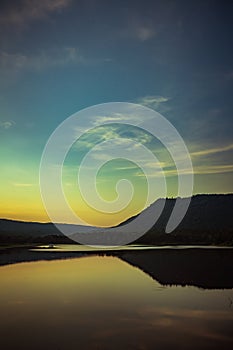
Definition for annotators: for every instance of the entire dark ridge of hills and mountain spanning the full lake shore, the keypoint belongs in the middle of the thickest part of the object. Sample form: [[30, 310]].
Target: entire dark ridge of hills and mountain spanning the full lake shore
[[209, 220]]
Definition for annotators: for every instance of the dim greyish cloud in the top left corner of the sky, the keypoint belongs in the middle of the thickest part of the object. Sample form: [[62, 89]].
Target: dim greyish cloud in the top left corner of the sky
[[31, 10]]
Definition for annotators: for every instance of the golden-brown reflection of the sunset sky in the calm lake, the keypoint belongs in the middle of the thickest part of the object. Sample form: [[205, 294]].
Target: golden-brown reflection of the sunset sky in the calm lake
[[104, 303]]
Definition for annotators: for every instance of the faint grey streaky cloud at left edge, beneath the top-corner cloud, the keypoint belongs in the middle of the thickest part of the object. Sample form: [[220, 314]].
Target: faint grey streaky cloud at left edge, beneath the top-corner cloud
[[16, 62]]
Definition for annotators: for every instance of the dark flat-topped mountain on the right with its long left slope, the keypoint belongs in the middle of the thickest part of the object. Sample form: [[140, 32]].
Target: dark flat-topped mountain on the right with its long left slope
[[208, 221]]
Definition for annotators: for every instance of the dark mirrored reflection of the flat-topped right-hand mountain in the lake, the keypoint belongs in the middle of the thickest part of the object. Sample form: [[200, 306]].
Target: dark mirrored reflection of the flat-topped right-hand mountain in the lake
[[205, 268]]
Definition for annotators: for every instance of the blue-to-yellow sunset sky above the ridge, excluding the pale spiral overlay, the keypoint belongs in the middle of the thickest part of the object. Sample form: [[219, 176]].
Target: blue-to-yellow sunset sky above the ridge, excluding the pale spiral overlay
[[58, 57]]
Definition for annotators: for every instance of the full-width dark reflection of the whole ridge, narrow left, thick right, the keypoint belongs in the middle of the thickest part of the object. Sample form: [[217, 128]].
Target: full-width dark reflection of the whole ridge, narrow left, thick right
[[207, 268]]
